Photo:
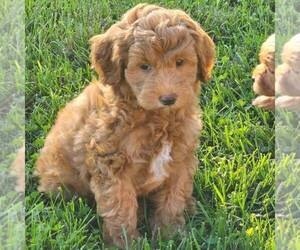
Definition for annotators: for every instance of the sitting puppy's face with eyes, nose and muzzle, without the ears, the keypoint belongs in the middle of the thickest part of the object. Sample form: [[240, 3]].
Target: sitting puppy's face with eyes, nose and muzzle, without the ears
[[163, 73]]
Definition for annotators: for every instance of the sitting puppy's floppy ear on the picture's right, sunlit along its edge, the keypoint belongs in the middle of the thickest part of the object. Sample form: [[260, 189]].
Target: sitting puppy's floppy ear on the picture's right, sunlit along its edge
[[204, 46]]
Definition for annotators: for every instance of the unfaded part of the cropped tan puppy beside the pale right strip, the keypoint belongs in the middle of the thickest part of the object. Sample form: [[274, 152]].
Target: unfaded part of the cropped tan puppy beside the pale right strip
[[264, 76]]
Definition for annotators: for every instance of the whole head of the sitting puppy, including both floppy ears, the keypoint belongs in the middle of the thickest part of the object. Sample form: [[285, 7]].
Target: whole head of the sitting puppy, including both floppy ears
[[161, 54]]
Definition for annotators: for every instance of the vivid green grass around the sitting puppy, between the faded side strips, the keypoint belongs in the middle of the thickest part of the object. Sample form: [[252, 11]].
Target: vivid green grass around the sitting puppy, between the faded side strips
[[234, 185]]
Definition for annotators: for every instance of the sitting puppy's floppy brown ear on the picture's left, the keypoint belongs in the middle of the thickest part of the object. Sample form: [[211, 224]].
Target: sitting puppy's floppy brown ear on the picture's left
[[109, 55]]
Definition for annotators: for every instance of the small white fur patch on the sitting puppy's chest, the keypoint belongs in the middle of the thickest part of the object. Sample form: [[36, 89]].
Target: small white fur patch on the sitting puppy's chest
[[160, 161]]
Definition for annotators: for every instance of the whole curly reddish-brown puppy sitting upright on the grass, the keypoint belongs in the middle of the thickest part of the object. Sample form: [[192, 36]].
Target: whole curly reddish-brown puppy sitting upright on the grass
[[134, 131]]
